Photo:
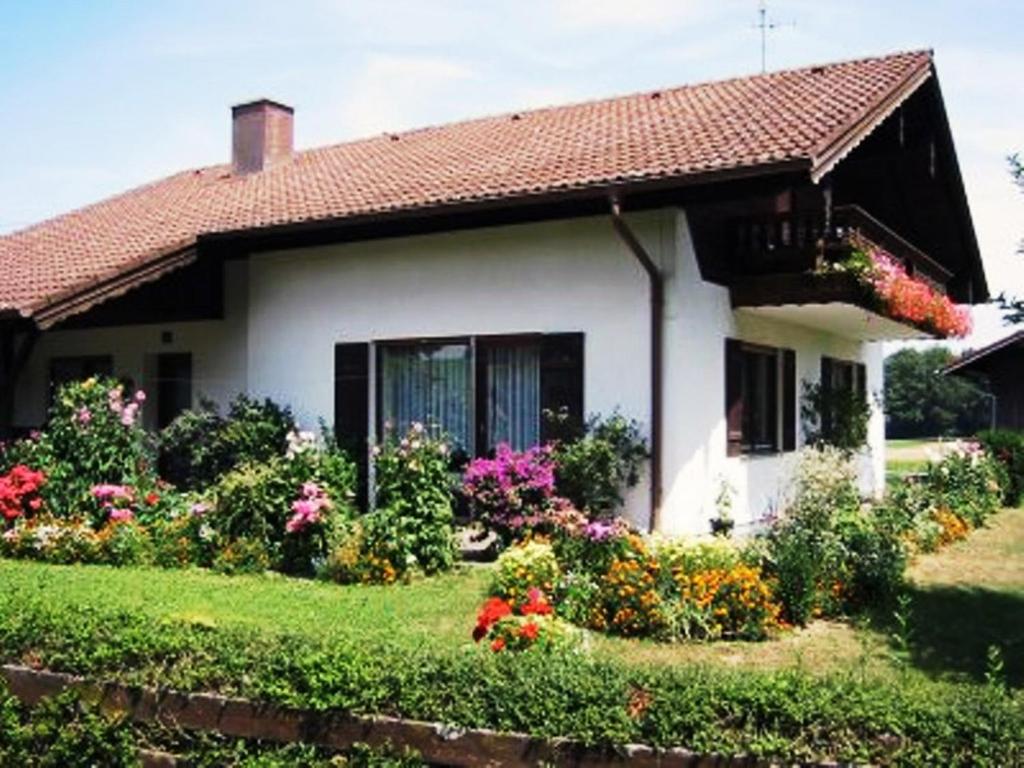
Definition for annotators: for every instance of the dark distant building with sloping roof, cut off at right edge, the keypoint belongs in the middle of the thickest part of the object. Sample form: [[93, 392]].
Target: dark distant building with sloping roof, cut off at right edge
[[1003, 364]]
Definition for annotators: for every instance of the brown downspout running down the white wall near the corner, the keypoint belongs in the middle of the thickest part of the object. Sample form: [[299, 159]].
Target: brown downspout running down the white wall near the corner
[[657, 385]]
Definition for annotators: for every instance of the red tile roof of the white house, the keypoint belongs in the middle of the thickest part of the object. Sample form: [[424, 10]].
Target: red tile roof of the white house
[[805, 117]]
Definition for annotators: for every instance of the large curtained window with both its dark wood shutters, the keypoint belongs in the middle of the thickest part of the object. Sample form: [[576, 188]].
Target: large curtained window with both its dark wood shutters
[[482, 392]]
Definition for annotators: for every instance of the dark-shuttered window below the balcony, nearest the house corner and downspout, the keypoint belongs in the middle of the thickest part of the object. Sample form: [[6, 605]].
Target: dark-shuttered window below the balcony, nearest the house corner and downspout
[[761, 399]]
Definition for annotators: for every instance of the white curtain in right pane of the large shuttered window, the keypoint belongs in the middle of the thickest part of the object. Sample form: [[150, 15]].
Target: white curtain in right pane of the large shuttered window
[[515, 396]]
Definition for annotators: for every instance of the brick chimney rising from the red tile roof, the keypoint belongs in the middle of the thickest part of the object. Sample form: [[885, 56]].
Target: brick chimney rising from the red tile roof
[[262, 136]]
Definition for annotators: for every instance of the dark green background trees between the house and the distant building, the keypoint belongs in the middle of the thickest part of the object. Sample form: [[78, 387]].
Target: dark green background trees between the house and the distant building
[[922, 403]]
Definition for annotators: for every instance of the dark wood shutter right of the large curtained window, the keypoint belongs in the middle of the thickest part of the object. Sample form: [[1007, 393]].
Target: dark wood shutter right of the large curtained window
[[562, 386]]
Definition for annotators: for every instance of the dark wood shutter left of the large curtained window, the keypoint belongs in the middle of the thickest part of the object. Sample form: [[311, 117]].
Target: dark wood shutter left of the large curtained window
[[352, 407]]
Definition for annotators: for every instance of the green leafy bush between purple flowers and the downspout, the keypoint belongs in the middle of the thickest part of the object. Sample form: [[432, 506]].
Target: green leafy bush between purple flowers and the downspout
[[594, 471]]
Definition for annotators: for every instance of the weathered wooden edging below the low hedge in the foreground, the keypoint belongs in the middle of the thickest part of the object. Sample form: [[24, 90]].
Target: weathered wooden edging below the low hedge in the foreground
[[436, 743]]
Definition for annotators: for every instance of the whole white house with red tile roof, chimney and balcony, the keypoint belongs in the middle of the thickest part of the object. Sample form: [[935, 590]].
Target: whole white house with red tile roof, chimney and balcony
[[660, 254]]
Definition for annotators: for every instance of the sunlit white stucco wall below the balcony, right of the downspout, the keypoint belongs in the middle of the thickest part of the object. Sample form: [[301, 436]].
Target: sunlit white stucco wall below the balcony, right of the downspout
[[696, 464]]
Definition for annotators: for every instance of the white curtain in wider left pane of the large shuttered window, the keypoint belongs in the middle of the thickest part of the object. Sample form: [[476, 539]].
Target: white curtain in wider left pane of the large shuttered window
[[429, 383]]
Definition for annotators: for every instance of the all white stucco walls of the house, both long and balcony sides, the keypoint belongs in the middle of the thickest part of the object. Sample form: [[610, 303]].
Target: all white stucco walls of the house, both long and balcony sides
[[285, 313]]
